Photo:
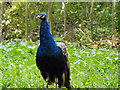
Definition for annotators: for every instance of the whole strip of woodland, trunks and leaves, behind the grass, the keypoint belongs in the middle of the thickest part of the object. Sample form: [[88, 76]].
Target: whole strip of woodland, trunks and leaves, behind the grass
[[80, 22]]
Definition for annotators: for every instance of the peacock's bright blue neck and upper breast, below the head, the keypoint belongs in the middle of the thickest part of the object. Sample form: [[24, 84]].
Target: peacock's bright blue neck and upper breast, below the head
[[47, 43]]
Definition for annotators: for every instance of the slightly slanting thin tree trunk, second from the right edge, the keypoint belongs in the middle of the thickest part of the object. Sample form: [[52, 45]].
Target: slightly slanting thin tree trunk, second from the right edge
[[91, 19]]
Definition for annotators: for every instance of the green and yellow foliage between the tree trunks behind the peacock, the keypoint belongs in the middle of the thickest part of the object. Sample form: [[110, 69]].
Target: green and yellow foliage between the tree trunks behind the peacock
[[77, 16]]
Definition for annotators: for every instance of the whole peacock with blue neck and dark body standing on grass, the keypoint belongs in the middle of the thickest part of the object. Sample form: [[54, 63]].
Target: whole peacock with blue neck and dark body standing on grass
[[52, 58]]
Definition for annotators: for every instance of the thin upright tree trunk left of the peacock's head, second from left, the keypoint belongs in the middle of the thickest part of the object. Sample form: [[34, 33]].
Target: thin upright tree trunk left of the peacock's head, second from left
[[26, 20]]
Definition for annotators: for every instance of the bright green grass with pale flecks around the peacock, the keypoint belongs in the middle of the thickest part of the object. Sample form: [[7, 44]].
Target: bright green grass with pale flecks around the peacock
[[90, 68]]
